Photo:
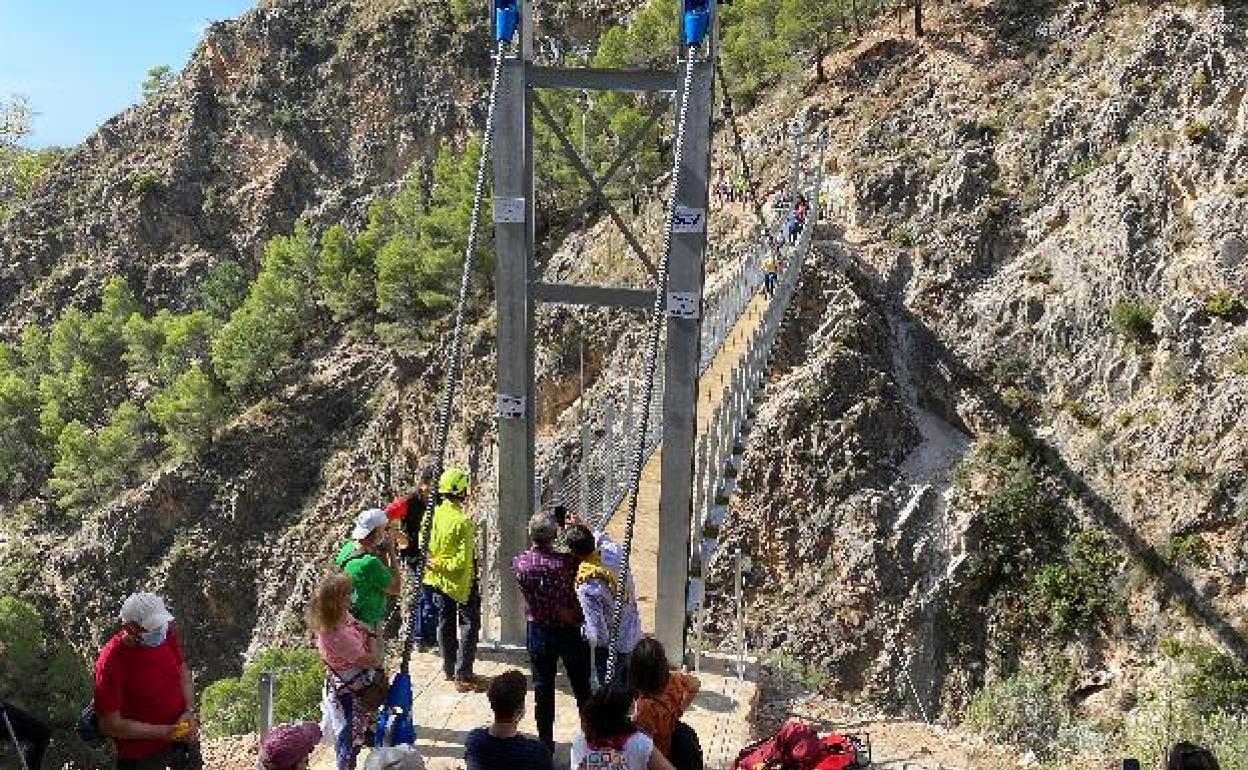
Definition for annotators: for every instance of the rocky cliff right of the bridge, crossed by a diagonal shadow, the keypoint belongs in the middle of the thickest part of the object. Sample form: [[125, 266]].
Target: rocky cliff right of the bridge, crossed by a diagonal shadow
[[1036, 241]]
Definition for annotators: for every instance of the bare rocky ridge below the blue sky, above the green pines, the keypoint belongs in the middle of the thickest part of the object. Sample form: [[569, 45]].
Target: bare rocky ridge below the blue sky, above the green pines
[[296, 110]]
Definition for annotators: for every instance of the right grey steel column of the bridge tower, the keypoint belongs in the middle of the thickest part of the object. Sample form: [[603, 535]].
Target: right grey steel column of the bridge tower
[[686, 279]]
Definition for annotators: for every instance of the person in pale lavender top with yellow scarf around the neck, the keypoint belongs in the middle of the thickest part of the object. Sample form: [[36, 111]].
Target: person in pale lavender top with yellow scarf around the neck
[[597, 581]]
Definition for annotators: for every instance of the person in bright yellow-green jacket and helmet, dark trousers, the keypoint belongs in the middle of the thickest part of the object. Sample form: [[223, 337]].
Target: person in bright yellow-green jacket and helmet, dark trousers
[[451, 572]]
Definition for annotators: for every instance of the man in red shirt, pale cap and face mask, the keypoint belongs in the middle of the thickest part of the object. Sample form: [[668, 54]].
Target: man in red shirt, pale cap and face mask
[[144, 694]]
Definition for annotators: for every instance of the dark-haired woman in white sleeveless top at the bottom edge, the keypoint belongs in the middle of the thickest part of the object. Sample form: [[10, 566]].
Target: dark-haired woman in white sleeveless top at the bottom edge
[[610, 741]]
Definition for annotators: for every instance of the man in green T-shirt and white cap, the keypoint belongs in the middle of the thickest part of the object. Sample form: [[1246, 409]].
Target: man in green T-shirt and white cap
[[371, 560]]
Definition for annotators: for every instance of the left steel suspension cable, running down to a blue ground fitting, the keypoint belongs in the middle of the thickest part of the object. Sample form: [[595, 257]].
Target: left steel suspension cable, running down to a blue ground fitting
[[455, 366]]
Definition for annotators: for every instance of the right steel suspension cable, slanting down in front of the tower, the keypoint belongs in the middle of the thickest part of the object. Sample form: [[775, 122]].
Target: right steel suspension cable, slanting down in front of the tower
[[652, 356]]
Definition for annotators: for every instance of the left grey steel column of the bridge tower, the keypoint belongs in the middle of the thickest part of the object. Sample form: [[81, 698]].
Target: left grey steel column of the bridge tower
[[514, 239]]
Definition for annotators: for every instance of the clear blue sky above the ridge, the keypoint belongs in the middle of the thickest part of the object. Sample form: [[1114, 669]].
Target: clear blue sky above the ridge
[[83, 62]]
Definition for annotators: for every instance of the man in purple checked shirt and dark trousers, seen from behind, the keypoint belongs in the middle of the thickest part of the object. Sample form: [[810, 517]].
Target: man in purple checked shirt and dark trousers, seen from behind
[[547, 578]]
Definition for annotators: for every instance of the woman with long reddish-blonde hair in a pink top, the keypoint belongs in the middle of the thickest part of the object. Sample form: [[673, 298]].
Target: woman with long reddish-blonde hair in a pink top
[[345, 650]]
